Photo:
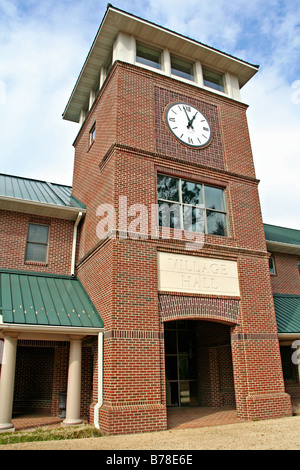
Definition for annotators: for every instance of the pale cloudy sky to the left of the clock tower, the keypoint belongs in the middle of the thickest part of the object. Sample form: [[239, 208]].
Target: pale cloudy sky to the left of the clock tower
[[41, 56]]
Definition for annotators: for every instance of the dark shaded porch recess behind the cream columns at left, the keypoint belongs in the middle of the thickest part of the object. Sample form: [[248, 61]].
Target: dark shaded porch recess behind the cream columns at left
[[42, 374]]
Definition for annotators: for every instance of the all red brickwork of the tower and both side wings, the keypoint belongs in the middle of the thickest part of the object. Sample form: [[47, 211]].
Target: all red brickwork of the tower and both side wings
[[237, 342]]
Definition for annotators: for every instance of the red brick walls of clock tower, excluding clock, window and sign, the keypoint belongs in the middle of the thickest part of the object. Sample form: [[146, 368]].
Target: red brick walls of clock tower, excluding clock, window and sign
[[132, 144]]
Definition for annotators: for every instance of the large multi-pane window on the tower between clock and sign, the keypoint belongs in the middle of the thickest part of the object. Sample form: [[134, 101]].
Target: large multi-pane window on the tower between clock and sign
[[191, 206]]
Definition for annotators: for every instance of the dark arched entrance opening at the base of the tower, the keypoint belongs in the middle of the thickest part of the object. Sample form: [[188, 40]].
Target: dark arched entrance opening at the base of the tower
[[198, 364]]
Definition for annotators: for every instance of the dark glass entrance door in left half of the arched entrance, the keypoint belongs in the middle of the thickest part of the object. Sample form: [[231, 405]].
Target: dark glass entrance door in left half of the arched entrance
[[180, 362]]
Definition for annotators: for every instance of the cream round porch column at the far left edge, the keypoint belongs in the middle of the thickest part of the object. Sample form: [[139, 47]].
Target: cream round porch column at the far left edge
[[7, 383]]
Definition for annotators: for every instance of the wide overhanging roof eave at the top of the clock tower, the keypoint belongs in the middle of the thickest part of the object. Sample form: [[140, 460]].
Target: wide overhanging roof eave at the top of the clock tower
[[115, 21]]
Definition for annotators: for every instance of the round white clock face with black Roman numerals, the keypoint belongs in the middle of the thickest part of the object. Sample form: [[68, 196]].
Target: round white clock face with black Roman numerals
[[188, 124]]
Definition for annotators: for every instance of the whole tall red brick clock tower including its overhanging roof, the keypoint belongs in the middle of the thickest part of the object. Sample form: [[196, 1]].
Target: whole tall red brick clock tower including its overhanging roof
[[172, 249]]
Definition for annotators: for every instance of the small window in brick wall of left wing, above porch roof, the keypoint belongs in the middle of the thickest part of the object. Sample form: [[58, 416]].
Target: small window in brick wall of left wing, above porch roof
[[37, 243]]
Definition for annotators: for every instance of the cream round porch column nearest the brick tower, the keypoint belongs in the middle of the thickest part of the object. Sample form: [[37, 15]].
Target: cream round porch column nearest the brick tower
[[74, 383]]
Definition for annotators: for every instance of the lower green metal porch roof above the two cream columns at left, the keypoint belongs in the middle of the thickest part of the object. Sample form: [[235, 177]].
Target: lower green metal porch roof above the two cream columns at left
[[45, 299]]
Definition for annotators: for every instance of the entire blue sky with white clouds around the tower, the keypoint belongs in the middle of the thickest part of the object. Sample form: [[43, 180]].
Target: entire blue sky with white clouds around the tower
[[44, 43]]
